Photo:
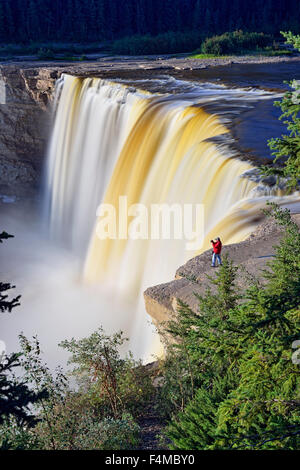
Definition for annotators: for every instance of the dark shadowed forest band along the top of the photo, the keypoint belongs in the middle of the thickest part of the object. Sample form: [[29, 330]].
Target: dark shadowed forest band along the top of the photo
[[98, 20]]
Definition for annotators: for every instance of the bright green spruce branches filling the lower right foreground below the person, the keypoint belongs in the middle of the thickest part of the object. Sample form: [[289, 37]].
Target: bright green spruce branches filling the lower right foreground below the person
[[245, 384]]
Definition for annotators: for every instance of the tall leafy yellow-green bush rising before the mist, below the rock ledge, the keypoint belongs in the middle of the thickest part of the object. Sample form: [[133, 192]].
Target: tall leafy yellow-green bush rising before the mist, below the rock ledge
[[107, 382]]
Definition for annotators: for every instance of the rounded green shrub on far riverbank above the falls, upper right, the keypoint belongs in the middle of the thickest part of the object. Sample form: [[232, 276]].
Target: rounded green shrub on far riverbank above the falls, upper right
[[235, 42]]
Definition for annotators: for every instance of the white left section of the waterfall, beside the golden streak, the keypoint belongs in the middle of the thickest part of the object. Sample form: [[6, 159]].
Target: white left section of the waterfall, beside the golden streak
[[92, 121]]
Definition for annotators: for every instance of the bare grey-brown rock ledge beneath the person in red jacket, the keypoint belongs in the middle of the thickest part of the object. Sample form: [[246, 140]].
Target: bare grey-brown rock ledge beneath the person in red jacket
[[251, 255]]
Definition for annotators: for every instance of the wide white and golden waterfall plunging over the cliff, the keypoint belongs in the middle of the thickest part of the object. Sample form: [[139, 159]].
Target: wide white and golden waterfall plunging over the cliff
[[110, 141]]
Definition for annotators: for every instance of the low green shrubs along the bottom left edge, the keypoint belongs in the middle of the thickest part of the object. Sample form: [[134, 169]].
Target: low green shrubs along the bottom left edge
[[74, 428]]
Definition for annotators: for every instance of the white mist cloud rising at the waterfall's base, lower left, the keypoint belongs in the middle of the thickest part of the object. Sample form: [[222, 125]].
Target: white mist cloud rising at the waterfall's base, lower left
[[55, 303]]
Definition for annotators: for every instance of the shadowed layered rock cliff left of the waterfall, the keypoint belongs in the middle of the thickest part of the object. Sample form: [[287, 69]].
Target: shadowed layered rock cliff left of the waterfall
[[24, 127]]
